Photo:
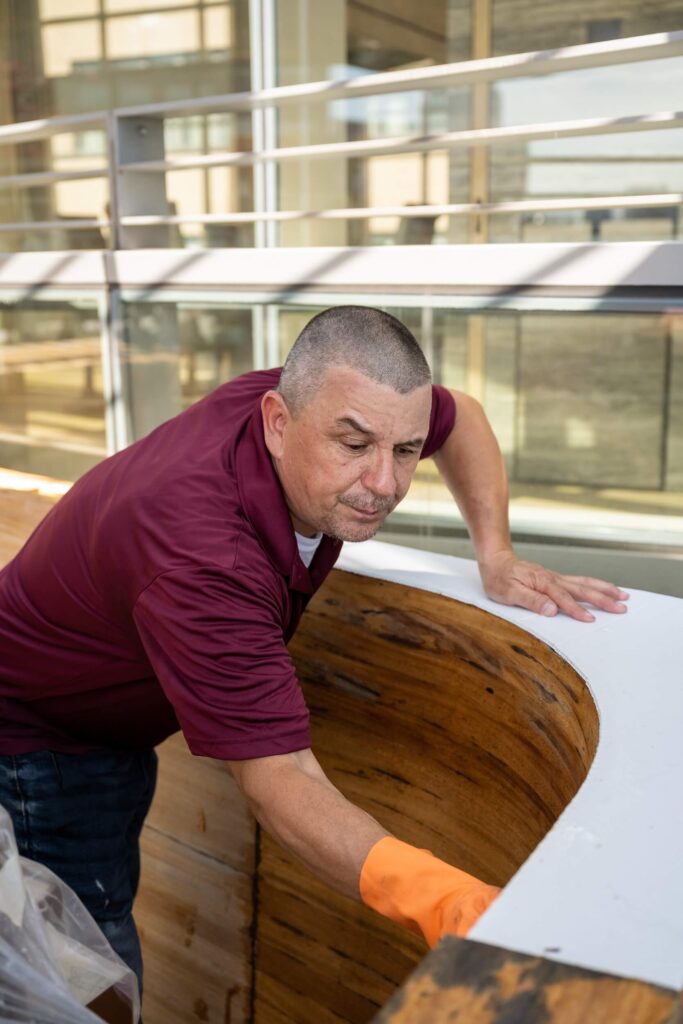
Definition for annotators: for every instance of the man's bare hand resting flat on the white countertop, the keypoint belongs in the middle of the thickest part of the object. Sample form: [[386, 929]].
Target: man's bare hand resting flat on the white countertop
[[510, 581]]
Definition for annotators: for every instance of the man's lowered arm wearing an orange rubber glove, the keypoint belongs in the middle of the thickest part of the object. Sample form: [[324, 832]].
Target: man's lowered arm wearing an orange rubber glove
[[294, 801]]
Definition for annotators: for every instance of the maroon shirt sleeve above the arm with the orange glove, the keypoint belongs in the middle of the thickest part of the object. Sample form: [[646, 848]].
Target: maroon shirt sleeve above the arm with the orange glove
[[215, 639]]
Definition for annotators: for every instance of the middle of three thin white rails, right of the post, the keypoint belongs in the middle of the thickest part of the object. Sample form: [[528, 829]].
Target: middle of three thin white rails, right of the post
[[421, 144]]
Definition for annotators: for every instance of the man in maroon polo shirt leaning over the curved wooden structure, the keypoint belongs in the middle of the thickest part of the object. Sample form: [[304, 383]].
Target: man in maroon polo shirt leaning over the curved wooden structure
[[161, 591]]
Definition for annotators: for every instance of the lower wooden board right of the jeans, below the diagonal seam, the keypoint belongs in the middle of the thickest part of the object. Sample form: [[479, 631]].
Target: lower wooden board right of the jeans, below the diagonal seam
[[194, 916]]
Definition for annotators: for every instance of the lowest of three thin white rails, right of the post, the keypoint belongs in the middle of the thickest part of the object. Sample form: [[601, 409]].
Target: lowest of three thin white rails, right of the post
[[435, 210]]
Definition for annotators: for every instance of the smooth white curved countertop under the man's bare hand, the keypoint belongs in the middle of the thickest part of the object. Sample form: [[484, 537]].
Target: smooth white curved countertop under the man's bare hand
[[605, 889]]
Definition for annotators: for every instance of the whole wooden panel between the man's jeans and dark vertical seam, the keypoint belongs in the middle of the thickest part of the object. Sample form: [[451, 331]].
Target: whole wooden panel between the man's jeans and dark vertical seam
[[195, 907]]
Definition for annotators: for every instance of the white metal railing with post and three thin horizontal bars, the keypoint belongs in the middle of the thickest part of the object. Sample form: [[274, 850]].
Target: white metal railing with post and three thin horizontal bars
[[137, 163]]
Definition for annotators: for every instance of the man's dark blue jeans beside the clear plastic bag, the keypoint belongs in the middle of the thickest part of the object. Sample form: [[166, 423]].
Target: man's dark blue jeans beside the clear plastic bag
[[81, 816]]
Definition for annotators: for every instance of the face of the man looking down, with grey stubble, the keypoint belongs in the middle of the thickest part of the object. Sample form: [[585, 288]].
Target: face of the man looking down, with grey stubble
[[349, 458]]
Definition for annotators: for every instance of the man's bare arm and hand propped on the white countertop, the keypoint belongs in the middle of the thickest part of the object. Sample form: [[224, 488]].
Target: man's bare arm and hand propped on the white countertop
[[472, 465]]
